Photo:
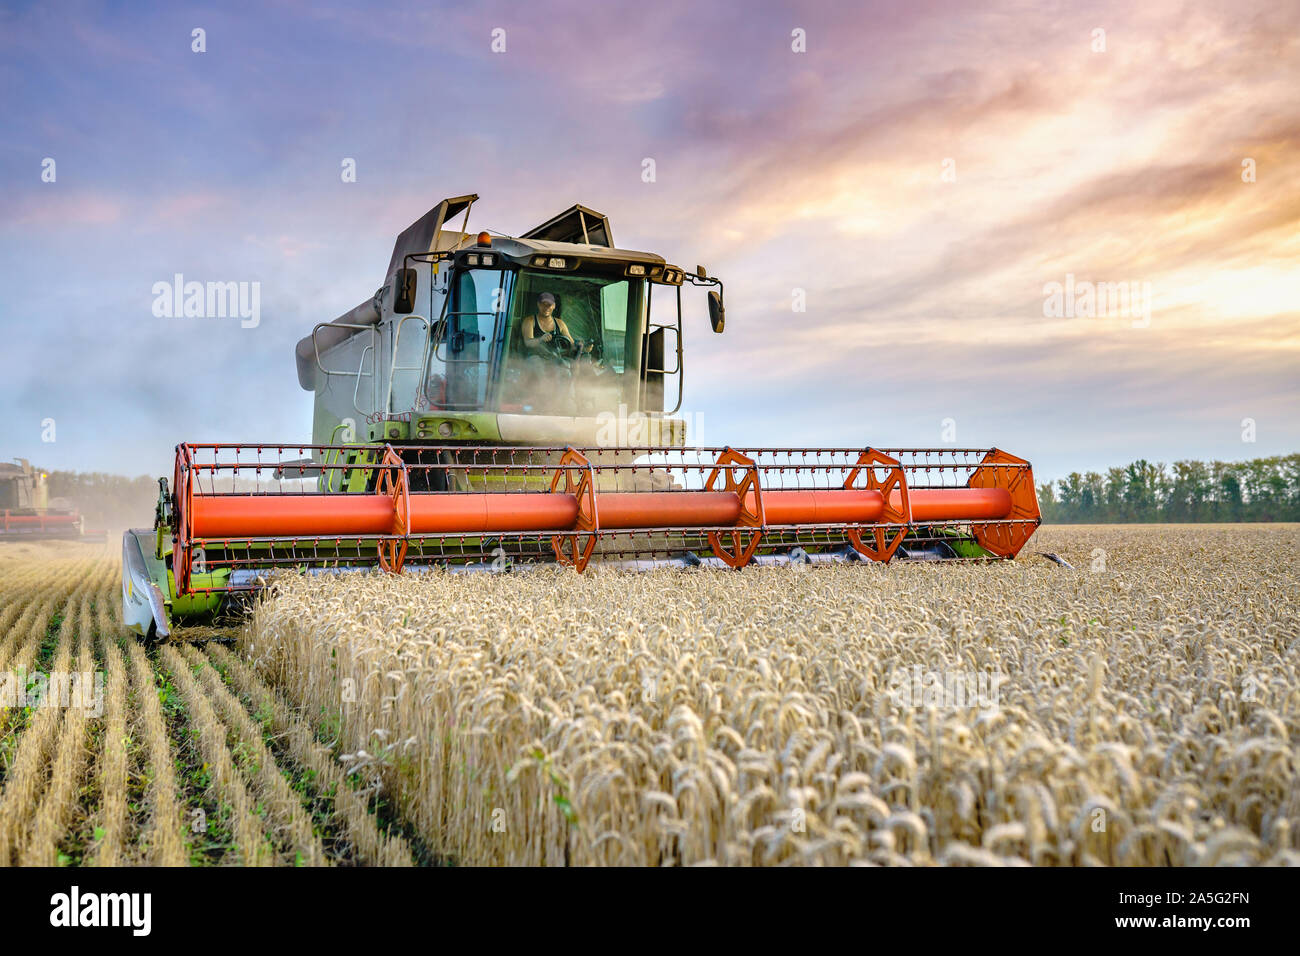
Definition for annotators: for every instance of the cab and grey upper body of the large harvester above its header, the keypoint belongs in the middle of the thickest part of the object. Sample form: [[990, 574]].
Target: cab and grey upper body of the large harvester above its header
[[531, 340]]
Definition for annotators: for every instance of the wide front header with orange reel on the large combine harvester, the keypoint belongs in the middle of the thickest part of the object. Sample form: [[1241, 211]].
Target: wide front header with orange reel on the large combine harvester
[[236, 513]]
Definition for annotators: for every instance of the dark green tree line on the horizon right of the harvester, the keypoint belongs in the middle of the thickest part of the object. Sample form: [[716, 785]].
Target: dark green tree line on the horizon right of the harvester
[[1260, 490]]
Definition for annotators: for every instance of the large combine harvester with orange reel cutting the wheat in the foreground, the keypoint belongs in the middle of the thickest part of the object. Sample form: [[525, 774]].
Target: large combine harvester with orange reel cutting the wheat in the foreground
[[513, 400]]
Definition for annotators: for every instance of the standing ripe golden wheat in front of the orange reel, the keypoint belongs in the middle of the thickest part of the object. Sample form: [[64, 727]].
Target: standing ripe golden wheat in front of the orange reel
[[1146, 713]]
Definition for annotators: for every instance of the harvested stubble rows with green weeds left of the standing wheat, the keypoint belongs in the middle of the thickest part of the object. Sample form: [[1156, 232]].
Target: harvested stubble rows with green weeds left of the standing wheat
[[181, 758]]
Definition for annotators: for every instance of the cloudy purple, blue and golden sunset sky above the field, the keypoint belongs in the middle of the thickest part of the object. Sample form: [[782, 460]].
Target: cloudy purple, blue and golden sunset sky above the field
[[891, 192]]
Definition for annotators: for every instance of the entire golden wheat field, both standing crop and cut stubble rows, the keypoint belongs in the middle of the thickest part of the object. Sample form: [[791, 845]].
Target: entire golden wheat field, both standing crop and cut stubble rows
[[1139, 710]]
